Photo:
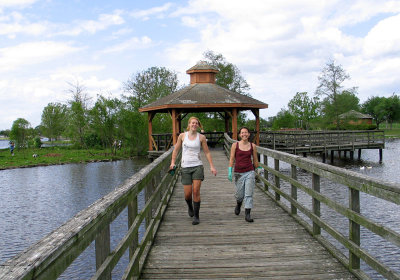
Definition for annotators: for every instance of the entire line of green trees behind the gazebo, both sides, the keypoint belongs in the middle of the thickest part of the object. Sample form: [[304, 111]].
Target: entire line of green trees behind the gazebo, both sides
[[104, 122]]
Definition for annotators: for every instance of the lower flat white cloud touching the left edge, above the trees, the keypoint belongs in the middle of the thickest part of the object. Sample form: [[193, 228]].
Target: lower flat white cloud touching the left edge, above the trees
[[30, 53]]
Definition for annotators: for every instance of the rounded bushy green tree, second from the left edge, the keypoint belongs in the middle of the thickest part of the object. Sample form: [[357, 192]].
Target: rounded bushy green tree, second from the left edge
[[53, 120]]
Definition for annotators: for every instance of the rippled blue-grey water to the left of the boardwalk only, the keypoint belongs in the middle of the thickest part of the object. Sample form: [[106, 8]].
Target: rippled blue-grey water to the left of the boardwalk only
[[35, 201]]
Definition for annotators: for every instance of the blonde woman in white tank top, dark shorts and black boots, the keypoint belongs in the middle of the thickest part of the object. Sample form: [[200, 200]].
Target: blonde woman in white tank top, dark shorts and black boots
[[192, 167]]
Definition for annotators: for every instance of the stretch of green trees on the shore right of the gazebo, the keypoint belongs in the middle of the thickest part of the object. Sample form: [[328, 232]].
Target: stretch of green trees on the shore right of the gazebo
[[330, 101]]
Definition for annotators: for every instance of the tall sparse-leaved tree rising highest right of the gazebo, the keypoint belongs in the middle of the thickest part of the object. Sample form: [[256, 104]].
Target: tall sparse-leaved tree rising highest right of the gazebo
[[330, 85]]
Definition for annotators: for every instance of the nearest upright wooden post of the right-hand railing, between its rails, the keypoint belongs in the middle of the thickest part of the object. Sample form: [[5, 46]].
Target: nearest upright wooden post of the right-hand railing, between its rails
[[354, 228]]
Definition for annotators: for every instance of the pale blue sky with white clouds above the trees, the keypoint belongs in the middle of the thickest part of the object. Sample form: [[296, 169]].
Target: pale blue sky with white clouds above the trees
[[280, 47]]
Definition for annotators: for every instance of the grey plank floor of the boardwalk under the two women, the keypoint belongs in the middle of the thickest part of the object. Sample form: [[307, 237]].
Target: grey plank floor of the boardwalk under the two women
[[225, 246]]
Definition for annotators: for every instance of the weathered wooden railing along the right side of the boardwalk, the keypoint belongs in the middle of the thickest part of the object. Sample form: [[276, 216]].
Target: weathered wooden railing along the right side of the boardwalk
[[271, 183]]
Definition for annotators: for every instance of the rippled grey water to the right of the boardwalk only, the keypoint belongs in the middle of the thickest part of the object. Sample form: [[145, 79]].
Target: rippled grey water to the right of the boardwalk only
[[378, 210]]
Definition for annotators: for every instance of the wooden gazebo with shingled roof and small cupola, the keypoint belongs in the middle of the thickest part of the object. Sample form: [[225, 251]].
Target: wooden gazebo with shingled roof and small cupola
[[203, 95]]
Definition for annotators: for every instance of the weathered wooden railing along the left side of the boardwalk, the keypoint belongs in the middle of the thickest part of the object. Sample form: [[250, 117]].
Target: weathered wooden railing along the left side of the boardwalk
[[48, 258]]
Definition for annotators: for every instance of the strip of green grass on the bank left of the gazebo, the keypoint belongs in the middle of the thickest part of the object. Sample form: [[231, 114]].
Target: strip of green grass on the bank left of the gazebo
[[55, 155]]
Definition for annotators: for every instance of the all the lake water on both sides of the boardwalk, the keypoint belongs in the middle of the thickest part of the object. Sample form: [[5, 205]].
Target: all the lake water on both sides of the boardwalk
[[35, 201]]
